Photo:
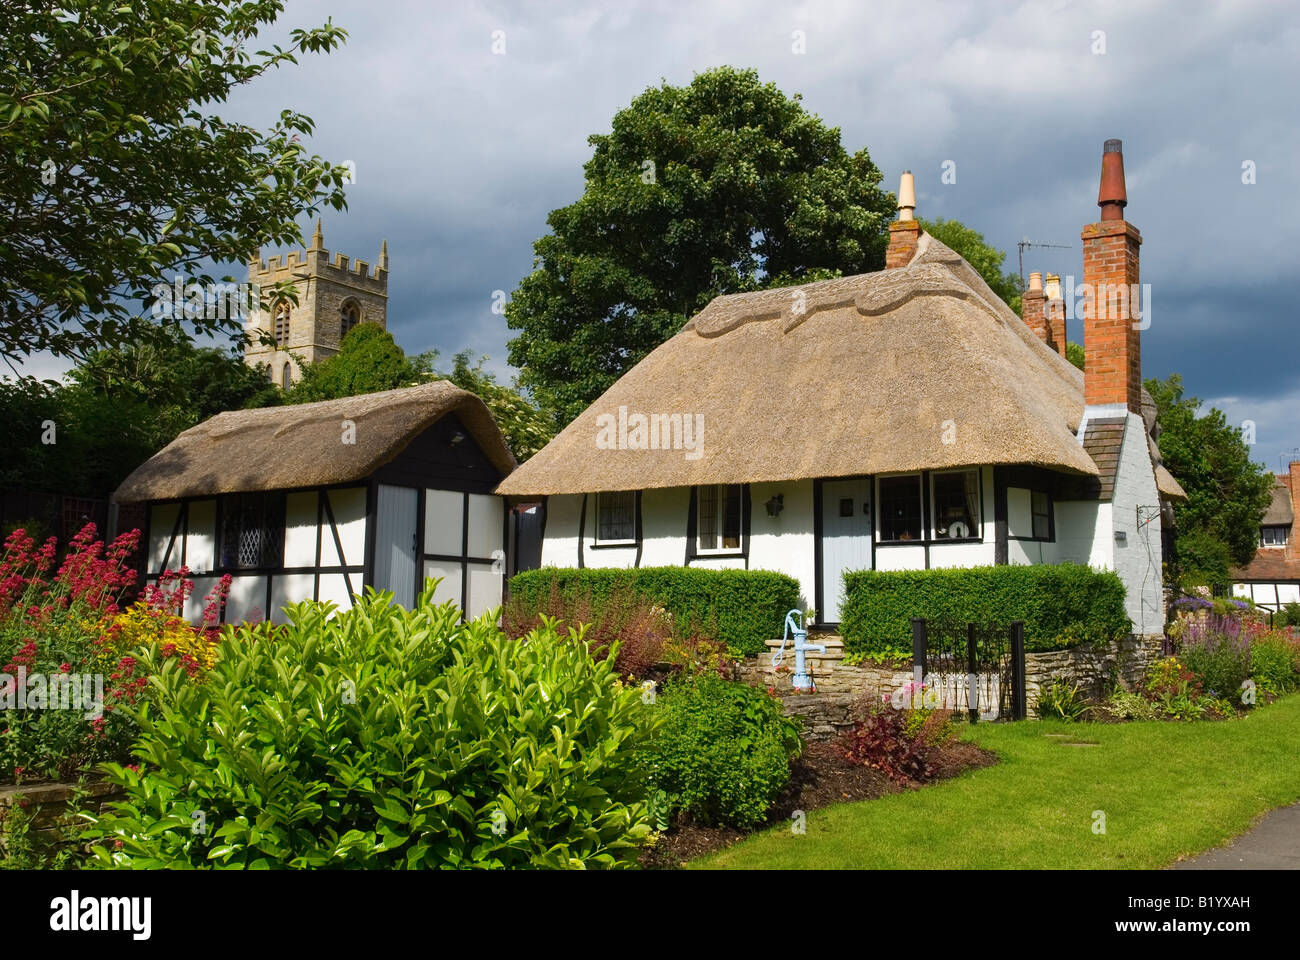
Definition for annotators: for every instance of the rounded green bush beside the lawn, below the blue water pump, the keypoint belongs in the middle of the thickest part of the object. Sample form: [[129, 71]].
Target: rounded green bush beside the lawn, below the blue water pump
[[723, 753]]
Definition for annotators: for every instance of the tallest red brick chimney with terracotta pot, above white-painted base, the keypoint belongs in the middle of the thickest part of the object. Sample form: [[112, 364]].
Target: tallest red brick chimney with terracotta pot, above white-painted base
[[1111, 341]]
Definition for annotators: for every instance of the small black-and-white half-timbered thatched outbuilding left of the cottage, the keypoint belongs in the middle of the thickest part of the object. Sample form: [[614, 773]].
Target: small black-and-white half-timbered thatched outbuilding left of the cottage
[[320, 500]]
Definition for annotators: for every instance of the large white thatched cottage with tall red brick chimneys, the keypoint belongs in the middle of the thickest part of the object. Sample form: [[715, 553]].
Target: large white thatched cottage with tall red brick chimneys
[[895, 421]]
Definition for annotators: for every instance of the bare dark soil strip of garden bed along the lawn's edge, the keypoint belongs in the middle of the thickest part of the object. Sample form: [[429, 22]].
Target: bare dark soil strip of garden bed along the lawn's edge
[[820, 779]]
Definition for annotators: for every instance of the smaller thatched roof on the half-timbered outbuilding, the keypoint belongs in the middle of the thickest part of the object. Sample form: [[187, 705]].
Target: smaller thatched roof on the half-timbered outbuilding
[[285, 448]]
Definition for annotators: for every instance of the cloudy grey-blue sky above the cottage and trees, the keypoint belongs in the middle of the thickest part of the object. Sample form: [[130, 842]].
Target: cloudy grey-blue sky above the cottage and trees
[[461, 153]]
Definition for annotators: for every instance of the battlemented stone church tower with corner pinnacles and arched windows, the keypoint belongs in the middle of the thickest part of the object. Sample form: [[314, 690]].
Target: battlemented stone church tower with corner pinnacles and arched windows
[[332, 300]]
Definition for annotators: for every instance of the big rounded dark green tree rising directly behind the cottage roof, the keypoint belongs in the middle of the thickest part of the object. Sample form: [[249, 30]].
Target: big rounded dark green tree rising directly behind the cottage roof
[[721, 187]]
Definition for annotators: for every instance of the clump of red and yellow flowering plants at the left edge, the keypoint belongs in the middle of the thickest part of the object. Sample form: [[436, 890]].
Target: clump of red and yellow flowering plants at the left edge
[[67, 650]]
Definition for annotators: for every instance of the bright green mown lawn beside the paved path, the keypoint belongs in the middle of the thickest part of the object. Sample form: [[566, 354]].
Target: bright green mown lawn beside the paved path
[[1168, 790]]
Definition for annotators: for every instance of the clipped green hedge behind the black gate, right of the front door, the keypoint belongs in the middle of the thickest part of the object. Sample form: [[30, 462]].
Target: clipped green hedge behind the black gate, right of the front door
[[1061, 606]]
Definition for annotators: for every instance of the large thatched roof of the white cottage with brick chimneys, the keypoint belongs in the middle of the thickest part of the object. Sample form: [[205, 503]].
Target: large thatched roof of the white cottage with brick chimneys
[[915, 369]]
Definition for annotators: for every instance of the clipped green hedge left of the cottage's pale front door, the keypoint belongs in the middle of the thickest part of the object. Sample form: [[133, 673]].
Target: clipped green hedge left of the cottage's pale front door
[[742, 608]]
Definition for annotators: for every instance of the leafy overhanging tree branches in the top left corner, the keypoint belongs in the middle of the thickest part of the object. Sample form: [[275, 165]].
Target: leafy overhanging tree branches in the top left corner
[[116, 174]]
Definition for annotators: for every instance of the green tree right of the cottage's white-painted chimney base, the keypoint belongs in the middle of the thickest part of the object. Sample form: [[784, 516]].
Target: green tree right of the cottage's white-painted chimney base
[[1219, 526]]
